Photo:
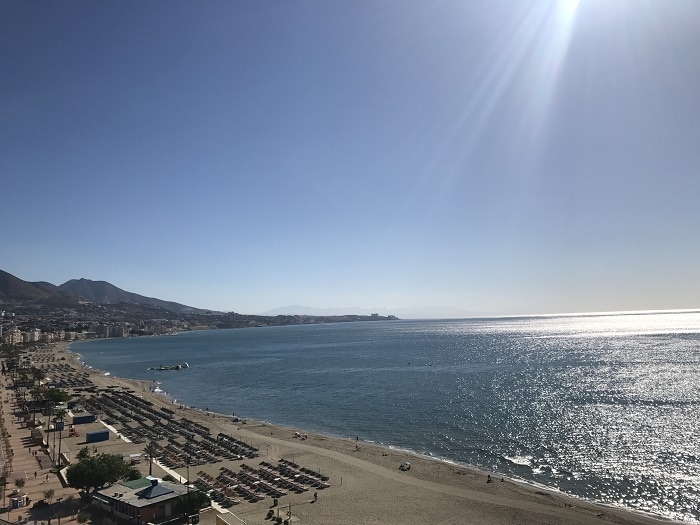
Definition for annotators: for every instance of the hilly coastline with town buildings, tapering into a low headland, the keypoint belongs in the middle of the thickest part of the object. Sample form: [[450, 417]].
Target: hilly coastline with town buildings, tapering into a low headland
[[31, 310]]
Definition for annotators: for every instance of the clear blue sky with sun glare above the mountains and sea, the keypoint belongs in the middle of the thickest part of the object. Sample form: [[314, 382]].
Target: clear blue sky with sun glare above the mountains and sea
[[493, 156]]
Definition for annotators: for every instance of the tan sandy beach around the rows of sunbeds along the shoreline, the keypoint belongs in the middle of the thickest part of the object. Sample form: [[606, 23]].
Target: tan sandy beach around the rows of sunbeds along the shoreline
[[365, 484]]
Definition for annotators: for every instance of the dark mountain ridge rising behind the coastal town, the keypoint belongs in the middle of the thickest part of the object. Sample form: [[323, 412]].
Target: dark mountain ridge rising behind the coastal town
[[15, 290]]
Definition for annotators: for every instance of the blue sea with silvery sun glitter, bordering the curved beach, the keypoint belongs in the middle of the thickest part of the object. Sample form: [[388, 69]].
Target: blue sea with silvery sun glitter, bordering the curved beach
[[602, 407]]
